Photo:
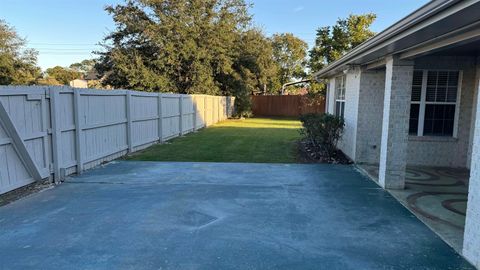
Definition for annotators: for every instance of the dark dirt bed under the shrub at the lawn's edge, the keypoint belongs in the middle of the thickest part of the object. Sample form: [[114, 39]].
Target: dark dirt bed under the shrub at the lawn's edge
[[307, 153]]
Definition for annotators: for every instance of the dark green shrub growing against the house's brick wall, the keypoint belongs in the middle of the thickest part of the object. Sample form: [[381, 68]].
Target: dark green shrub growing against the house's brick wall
[[323, 131]]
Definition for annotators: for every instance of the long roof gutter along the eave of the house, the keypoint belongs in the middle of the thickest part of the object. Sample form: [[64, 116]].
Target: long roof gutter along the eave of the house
[[420, 15]]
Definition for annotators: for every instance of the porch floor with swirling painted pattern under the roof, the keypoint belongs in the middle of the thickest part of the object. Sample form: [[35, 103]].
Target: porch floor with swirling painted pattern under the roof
[[437, 196]]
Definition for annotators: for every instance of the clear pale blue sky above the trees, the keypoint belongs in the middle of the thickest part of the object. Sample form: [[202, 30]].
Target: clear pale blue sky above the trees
[[66, 31]]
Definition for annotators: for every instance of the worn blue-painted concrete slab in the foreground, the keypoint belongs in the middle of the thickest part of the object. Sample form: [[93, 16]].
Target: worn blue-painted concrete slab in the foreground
[[149, 215]]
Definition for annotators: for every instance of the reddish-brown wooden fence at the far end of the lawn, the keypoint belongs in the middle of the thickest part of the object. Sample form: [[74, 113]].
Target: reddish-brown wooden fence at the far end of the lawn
[[291, 105]]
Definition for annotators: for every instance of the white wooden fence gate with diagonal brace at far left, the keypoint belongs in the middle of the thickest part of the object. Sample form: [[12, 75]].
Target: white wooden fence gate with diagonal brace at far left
[[25, 152]]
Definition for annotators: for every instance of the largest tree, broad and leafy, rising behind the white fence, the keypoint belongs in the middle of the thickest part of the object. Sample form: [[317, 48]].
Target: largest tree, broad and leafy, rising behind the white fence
[[184, 46]]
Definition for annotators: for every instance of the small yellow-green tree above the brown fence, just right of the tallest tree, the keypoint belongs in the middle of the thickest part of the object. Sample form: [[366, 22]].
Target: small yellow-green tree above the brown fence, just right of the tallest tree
[[289, 53]]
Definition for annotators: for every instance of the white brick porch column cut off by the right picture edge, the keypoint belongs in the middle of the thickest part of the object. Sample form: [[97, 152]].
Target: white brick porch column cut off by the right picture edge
[[471, 238]]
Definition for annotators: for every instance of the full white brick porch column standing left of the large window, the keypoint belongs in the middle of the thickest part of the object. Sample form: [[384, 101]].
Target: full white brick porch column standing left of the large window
[[396, 114]]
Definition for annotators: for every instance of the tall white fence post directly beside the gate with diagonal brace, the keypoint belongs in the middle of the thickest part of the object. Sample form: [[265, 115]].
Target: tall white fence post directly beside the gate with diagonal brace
[[56, 132]]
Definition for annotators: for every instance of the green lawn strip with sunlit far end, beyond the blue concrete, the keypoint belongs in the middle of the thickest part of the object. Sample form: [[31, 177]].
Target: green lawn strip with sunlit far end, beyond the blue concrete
[[260, 140]]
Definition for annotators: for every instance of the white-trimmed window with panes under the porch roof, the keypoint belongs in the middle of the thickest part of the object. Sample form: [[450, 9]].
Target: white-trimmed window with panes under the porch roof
[[435, 103]]
